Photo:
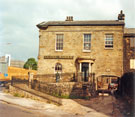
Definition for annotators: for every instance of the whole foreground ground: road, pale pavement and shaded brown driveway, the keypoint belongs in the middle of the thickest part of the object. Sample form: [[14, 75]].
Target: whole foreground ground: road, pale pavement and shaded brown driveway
[[101, 106]]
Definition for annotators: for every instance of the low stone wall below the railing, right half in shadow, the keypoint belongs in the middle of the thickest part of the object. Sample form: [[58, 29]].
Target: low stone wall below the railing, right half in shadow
[[65, 89]]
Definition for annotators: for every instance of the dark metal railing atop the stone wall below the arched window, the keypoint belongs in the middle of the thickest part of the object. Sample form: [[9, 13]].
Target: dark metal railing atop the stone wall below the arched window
[[66, 77]]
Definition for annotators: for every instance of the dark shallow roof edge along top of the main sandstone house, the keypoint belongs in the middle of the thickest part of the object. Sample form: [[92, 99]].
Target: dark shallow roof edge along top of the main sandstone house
[[45, 25]]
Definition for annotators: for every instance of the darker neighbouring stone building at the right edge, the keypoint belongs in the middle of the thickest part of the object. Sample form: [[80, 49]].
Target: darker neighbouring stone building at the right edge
[[129, 50]]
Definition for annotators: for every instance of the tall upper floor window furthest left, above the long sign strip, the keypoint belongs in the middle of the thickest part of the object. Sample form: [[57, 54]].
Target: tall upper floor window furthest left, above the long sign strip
[[59, 42]]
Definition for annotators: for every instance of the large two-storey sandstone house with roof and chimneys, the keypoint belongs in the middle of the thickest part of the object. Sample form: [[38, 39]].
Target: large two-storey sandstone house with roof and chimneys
[[81, 47]]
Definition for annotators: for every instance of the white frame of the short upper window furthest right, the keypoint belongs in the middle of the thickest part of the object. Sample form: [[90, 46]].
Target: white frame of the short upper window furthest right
[[111, 44]]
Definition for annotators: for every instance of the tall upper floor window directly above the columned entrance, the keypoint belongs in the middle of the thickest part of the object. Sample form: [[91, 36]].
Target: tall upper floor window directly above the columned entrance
[[87, 42]]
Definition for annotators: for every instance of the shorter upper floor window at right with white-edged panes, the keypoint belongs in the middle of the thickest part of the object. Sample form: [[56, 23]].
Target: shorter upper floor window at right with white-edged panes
[[109, 41]]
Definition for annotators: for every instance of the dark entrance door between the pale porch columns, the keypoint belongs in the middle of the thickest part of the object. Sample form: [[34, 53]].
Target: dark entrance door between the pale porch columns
[[85, 71]]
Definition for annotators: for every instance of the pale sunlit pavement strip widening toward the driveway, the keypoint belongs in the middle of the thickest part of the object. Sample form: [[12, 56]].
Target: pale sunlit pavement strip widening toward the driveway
[[70, 108]]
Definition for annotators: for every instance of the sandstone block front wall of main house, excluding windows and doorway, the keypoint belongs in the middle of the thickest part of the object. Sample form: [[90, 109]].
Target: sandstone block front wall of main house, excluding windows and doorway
[[107, 61]]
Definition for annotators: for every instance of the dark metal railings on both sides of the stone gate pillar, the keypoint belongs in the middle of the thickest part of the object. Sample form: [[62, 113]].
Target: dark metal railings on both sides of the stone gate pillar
[[52, 78]]
